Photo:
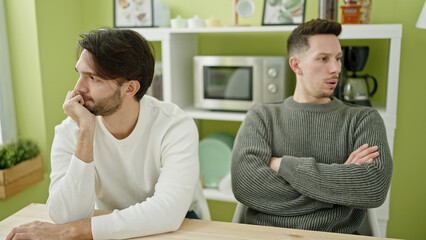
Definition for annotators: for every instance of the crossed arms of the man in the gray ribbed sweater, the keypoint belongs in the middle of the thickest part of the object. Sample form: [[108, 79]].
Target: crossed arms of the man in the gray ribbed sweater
[[300, 185]]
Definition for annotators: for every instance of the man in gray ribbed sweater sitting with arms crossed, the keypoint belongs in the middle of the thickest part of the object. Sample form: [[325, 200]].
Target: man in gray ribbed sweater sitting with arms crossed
[[312, 162]]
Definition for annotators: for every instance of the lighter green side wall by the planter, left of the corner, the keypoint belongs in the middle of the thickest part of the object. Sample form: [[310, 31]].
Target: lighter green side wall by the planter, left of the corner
[[28, 93]]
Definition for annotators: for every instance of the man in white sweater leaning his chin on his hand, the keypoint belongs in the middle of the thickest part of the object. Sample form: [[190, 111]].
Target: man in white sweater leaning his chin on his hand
[[119, 150]]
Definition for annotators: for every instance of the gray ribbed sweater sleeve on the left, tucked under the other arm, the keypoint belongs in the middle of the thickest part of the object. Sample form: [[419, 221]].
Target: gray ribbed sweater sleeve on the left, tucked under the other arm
[[255, 184]]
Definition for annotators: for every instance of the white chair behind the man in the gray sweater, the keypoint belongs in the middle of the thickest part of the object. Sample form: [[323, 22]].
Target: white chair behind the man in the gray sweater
[[370, 227]]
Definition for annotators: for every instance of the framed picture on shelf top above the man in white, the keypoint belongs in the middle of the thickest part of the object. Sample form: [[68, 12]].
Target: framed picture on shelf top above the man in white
[[133, 13]]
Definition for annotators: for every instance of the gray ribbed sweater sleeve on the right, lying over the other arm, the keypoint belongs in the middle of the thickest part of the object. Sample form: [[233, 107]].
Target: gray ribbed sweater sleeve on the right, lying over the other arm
[[357, 186]]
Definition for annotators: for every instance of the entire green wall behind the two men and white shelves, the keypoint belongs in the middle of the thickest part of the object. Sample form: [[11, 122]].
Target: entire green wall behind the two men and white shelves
[[42, 37]]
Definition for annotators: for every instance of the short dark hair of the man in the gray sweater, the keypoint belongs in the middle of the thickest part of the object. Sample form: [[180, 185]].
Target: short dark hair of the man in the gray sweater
[[298, 39]]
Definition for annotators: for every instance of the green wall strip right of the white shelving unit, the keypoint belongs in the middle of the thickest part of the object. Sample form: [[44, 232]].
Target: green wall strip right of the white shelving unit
[[408, 193]]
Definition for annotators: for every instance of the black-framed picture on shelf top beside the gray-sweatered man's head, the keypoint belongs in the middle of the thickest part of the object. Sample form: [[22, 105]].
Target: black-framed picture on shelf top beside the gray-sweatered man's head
[[283, 12]]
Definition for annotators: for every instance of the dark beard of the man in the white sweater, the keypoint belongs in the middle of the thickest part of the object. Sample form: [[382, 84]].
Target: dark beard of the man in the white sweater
[[106, 106]]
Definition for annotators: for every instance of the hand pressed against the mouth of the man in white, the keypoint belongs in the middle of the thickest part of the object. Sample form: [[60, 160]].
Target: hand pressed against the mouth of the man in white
[[73, 107]]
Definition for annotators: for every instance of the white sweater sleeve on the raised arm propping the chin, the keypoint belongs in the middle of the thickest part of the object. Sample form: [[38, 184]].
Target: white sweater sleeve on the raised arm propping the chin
[[71, 190]]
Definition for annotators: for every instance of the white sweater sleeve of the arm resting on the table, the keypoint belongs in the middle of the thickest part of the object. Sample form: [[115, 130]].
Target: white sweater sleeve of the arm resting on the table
[[174, 191]]
